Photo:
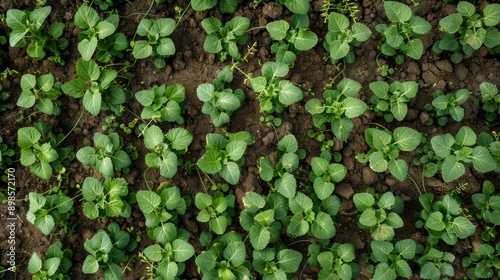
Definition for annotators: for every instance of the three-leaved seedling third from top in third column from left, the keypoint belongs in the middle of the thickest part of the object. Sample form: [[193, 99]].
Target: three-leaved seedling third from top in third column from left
[[165, 149]]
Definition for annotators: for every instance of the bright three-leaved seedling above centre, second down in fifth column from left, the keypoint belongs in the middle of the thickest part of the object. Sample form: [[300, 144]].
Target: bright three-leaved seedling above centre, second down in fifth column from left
[[273, 92]]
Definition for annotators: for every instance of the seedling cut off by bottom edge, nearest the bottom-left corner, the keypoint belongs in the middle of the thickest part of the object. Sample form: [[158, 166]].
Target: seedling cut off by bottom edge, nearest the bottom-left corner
[[56, 264]]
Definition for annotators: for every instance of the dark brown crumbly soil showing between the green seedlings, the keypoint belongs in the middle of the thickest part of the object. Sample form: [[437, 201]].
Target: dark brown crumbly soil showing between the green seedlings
[[192, 66]]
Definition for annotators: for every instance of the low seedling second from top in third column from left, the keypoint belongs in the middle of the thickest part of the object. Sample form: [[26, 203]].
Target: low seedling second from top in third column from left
[[162, 103]]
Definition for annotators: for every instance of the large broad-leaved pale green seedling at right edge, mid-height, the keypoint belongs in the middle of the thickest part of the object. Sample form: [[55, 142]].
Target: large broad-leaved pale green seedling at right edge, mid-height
[[456, 153]]
